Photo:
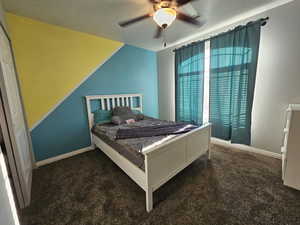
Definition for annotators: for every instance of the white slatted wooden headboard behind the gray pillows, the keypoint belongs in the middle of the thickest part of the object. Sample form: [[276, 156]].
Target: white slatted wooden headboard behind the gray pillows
[[108, 102]]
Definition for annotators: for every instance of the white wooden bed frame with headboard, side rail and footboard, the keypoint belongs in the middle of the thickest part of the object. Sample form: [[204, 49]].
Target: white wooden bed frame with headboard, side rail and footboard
[[163, 161]]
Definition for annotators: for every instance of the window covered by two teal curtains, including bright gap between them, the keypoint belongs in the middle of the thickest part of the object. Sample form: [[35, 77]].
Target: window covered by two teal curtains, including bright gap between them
[[225, 84]]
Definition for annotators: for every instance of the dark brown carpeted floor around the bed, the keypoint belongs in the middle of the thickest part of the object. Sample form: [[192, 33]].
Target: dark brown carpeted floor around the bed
[[235, 188]]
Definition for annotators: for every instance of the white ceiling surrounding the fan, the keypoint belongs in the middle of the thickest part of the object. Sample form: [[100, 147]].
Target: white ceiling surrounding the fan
[[101, 17]]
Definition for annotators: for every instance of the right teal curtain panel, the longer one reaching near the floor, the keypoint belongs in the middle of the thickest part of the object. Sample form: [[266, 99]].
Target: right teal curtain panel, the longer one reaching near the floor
[[233, 66]]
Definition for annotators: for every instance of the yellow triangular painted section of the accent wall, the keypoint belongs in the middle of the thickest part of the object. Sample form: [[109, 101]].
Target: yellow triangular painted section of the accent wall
[[51, 61]]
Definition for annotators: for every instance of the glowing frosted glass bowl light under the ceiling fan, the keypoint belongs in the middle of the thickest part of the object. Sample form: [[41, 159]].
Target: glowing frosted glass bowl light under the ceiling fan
[[164, 17]]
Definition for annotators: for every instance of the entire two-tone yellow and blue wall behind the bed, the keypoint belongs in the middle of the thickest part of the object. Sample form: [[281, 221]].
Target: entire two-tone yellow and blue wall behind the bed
[[54, 99]]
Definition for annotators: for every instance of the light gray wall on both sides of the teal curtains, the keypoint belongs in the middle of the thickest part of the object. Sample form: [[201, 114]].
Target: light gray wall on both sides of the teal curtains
[[278, 76]]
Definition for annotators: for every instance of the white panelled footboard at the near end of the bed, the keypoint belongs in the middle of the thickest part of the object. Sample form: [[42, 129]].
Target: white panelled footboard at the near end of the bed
[[166, 160]]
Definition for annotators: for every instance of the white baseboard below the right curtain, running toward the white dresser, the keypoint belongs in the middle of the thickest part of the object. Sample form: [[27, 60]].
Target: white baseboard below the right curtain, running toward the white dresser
[[246, 148]]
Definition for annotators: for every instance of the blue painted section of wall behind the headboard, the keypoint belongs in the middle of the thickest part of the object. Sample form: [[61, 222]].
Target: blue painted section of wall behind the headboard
[[130, 70]]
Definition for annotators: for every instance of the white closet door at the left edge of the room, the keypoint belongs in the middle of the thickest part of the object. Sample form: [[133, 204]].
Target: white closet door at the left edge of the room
[[17, 128]]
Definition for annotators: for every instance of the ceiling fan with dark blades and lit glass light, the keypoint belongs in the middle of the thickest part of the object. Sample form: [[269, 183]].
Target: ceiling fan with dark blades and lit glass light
[[165, 12]]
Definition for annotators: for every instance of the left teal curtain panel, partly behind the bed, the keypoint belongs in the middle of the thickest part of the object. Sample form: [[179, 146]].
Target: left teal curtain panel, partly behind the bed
[[189, 83]]
